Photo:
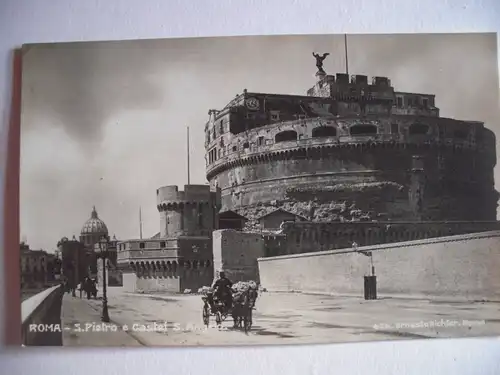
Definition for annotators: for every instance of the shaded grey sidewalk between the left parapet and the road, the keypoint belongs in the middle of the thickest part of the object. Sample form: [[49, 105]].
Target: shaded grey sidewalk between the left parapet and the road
[[83, 327]]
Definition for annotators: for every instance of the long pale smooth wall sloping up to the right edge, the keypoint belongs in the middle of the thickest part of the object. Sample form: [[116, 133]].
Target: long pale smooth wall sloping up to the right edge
[[464, 266]]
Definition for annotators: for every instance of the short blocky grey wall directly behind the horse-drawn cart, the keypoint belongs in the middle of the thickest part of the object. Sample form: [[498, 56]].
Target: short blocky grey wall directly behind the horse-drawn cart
[[236, 253]]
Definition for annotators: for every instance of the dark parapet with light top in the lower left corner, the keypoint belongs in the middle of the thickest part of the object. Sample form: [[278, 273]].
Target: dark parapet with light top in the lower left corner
[[41, 318]]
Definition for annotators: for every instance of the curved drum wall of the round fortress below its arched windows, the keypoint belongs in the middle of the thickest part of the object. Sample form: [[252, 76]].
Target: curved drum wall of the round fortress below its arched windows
[[337, 172]]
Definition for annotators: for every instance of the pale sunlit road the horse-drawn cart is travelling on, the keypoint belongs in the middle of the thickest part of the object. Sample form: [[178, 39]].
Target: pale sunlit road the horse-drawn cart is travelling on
[[279, 318]]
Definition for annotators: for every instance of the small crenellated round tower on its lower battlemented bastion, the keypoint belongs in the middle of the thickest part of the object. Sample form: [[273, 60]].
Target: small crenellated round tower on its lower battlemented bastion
[[180, 256]]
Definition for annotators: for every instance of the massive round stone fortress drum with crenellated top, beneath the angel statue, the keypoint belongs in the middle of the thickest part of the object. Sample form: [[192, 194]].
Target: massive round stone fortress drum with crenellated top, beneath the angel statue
[[350, 150]]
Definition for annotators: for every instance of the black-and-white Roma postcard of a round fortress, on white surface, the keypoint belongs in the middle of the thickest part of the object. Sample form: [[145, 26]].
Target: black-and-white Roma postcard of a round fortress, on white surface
[[260, 190]]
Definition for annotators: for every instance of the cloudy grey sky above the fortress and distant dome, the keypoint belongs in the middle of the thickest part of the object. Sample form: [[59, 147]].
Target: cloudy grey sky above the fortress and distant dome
[[104, 123]]
